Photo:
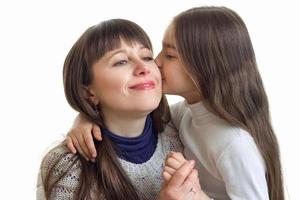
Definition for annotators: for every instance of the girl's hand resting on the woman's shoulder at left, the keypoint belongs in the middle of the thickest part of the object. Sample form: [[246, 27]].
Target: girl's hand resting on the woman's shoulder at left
[[80, 137]]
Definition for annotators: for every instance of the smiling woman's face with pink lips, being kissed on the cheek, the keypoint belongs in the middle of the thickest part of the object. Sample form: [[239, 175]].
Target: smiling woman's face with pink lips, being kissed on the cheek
[[126, 80]]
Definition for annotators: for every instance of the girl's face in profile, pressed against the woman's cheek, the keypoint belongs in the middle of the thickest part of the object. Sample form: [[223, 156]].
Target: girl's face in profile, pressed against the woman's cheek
[[175, 79]]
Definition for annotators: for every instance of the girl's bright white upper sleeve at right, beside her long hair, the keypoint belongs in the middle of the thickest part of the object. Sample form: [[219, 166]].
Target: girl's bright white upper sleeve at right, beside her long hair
[[243, 170]]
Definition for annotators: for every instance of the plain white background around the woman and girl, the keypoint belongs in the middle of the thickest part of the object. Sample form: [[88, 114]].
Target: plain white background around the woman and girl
[[36, 36]]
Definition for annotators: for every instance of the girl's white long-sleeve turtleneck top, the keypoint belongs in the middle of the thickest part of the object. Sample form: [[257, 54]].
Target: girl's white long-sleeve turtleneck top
[[229, 163]]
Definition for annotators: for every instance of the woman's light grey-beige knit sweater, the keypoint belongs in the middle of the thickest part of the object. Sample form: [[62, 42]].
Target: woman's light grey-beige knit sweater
[[146, 177]]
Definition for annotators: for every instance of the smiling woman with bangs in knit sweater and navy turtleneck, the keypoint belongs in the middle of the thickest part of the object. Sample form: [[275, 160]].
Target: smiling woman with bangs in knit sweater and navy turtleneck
[[110, 76]]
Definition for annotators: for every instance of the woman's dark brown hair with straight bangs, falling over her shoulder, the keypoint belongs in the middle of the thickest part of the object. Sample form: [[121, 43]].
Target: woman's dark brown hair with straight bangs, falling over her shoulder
[[106, 177]]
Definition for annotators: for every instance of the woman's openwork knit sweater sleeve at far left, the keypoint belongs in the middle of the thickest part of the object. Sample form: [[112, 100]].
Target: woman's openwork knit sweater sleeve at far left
[[64, 174]]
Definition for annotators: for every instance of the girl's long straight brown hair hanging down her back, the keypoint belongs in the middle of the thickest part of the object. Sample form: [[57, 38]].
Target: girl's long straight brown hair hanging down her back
[[214, 45]]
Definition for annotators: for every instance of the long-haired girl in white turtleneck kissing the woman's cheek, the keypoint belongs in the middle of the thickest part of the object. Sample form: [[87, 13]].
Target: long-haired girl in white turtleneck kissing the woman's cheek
[[224, 122]]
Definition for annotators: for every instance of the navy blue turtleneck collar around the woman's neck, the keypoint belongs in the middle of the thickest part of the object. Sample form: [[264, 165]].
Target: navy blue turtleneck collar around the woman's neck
[[136, 149]]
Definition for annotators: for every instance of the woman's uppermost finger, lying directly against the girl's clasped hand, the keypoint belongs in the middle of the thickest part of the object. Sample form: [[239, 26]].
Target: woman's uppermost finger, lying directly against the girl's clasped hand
[[181, 174]]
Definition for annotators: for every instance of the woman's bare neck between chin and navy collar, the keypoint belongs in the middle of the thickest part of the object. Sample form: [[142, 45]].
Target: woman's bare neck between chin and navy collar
[[125, 126]]
